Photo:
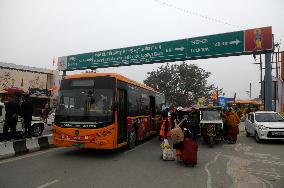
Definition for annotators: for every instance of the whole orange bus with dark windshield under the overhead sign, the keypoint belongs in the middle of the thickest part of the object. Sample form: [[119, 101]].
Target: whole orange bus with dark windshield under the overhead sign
[[105, 111]]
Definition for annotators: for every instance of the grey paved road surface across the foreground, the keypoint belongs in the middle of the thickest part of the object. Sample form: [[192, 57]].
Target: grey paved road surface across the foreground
[[245, 164]]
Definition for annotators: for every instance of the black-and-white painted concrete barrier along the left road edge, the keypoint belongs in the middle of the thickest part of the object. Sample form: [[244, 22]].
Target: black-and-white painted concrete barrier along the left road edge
[[18, 147]]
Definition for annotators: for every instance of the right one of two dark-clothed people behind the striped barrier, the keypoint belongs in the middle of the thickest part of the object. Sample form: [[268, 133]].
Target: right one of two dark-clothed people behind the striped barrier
[[27, 112]]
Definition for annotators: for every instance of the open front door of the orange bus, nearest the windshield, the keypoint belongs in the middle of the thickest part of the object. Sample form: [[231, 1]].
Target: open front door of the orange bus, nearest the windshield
[[122, 114]]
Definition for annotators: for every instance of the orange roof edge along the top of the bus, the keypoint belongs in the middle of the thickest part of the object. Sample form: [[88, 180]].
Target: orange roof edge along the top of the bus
[[115, 75]]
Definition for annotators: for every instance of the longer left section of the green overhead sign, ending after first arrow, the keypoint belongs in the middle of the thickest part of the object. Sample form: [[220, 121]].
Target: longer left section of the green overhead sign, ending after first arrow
[[150, 53]]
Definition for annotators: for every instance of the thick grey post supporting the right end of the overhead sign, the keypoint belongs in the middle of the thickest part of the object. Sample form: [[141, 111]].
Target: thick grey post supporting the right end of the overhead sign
[[268, 82]]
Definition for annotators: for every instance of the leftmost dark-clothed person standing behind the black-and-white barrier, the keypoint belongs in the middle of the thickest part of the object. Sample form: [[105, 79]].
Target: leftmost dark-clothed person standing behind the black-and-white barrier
[[12, 109]]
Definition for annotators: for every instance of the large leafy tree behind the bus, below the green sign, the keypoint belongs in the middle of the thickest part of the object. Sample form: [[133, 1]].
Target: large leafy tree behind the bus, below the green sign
[[182, 84]]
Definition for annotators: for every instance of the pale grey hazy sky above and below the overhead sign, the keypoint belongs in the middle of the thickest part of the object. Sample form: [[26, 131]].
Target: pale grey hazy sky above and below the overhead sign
[[33, 32]]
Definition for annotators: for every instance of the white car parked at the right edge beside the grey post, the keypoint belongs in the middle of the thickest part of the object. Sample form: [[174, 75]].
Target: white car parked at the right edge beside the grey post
[[264, 125]]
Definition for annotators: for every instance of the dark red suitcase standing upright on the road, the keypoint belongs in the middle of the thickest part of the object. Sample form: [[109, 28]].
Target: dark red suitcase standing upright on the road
[[189, 152]]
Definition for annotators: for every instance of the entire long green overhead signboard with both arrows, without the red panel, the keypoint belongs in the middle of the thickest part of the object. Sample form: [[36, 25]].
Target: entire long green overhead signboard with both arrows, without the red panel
[[191, 48]]
